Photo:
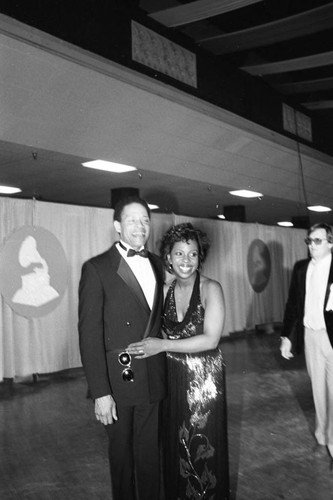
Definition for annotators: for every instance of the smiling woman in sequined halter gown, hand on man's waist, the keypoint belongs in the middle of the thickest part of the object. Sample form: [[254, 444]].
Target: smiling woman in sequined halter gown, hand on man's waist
[[195, 444]]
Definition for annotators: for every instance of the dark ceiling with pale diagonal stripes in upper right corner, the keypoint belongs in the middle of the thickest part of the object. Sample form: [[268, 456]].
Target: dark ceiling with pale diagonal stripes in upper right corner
[[289, 44]]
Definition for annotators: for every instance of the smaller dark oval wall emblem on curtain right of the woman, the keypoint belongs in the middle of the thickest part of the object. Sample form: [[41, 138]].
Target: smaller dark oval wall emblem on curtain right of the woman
[[258, 265]]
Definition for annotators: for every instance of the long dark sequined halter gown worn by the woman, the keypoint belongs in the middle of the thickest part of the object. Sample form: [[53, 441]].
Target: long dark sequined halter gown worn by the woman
[[194, 416]]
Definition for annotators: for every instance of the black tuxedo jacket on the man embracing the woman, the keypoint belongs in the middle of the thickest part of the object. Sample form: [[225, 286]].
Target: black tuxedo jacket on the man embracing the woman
[[113, 312]]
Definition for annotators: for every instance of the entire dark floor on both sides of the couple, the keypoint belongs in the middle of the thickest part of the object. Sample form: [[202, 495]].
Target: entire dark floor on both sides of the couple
[[51, 448]]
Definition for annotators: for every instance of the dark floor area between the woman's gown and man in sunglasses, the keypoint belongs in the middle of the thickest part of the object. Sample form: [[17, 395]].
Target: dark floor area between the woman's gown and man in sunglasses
[[271, 421]]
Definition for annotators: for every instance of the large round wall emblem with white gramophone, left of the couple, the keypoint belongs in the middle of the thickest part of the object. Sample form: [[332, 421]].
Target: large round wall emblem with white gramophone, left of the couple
[[33, 271]]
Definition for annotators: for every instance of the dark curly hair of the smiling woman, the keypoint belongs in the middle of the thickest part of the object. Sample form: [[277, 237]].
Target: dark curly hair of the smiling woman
[[183, 232]]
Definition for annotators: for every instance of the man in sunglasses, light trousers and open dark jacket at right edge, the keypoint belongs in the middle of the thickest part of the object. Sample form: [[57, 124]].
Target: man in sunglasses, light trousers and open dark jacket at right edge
[[308, 322]]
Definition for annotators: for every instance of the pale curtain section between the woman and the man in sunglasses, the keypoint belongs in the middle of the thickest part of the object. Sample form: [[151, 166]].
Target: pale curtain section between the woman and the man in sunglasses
[[227, 263]]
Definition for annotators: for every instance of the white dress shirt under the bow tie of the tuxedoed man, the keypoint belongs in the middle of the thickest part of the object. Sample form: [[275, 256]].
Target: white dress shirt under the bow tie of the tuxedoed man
[[143, 272]]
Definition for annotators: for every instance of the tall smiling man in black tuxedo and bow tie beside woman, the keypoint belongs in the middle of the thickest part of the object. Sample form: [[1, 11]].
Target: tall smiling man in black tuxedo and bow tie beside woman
[[120, 302]]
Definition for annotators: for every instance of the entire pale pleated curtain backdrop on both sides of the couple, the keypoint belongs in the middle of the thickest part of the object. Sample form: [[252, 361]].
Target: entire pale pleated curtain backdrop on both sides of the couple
[[50, 343]]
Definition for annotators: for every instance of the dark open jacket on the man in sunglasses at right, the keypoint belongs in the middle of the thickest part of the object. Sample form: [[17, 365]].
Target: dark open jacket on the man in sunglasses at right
[[294, 313]]
